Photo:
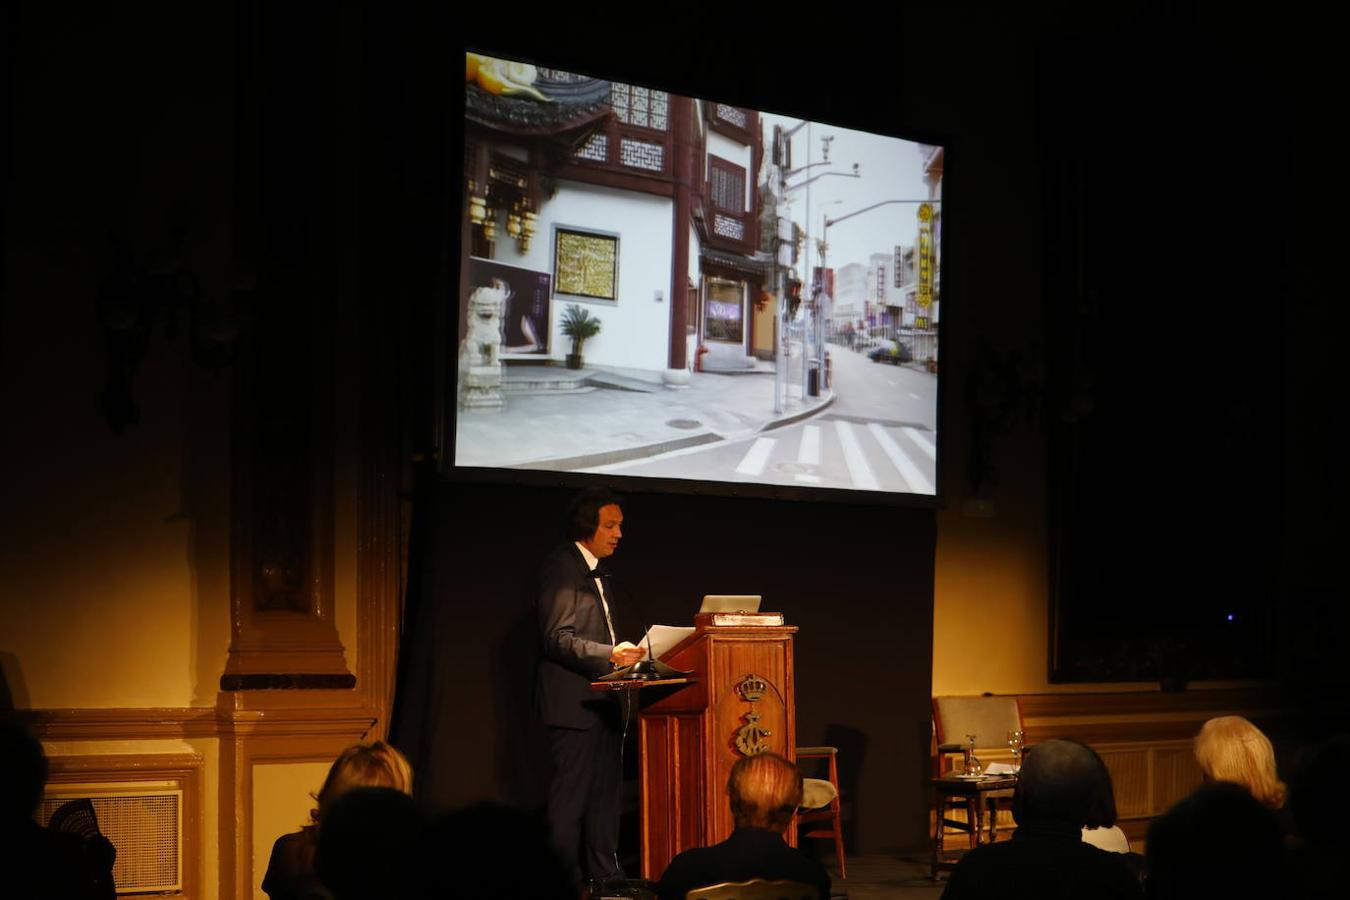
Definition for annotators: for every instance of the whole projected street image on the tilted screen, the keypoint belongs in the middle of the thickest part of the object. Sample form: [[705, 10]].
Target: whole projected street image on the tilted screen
[[665, 287]]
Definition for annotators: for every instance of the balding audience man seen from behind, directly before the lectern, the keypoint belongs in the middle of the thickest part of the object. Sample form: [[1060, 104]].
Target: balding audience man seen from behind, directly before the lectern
[[765, 791]]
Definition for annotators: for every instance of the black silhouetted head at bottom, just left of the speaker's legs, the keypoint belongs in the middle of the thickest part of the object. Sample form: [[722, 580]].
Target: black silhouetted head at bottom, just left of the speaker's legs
[[492, 851]]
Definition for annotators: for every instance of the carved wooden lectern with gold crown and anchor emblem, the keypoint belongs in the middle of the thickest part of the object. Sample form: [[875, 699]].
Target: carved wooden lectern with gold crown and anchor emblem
[[739, 702]]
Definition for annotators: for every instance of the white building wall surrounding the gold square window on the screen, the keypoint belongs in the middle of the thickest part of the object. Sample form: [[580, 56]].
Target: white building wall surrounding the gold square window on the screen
[[635, 329]]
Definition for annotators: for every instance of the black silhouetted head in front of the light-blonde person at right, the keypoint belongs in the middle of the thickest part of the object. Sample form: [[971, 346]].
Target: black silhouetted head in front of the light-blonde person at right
[[1218, 843]]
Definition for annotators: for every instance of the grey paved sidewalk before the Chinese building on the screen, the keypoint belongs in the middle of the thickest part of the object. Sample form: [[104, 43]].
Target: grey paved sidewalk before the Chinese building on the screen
[[580, 424]]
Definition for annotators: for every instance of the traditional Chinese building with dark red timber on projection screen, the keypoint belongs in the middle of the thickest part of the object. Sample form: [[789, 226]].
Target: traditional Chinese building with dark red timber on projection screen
[[634, 204]]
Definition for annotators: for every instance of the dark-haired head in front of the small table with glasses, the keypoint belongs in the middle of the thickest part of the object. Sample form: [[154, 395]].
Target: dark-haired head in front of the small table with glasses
[[1060, 783]]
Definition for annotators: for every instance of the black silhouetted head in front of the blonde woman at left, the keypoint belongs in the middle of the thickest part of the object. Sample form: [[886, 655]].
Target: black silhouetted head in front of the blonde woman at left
[[368, 844]]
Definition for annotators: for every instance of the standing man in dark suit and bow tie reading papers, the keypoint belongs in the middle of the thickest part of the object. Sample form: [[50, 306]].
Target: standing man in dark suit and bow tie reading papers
[[585, 729]]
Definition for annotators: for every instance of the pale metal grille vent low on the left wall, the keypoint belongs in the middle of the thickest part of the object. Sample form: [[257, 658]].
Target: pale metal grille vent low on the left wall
[[146, 828]]
